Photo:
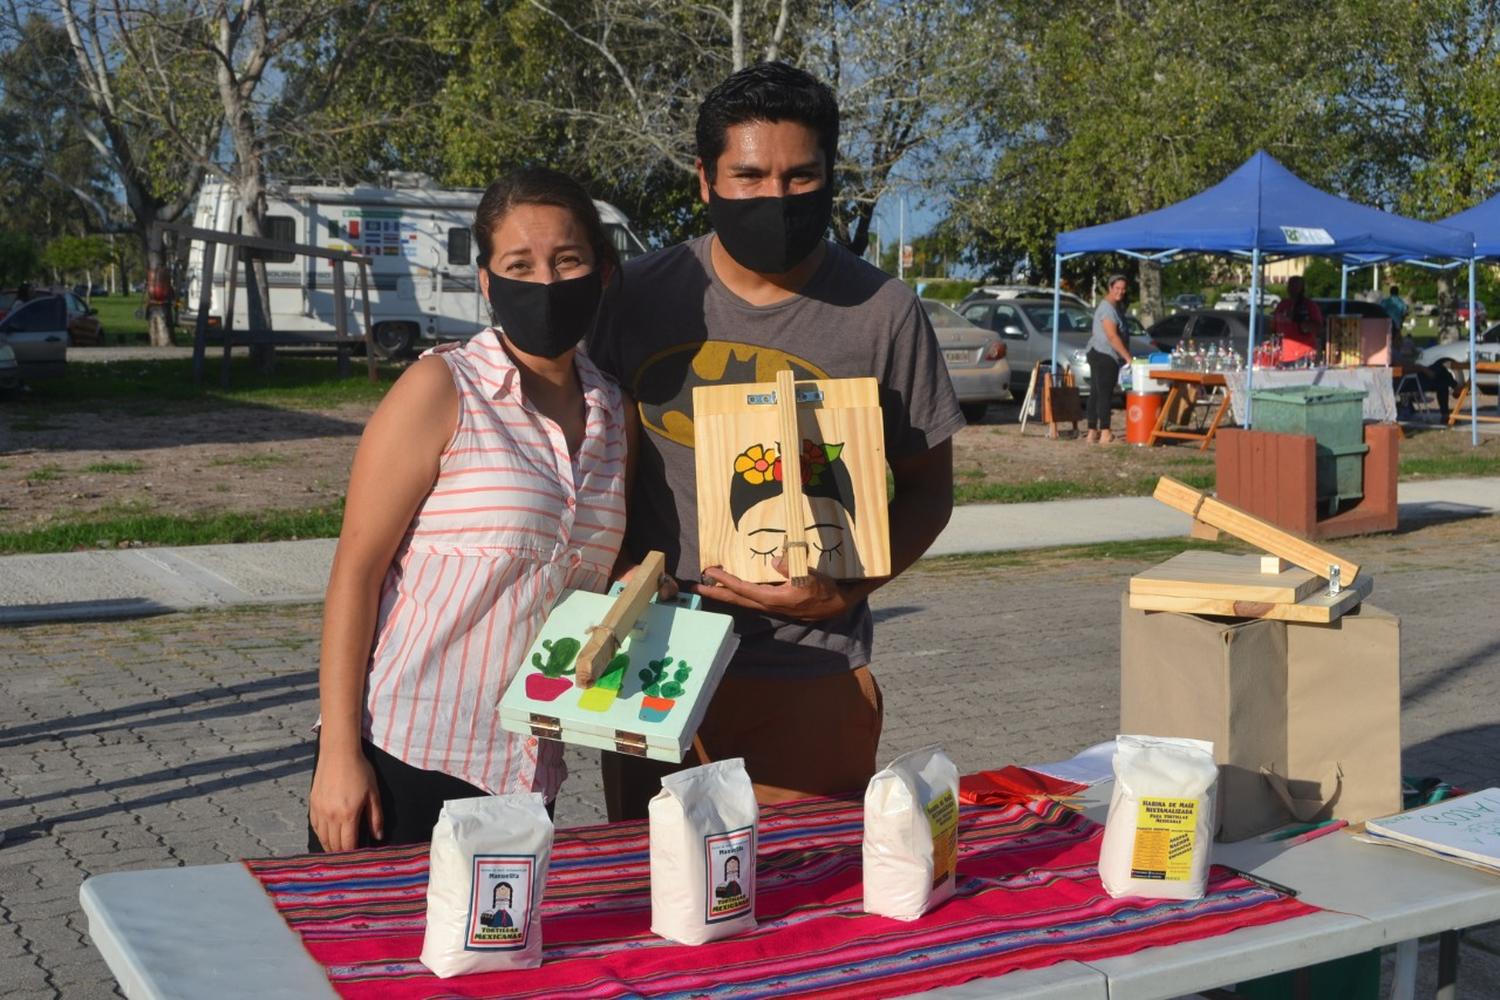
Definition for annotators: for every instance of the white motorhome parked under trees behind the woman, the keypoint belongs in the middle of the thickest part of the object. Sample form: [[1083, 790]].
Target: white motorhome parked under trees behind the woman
[[424, 280]]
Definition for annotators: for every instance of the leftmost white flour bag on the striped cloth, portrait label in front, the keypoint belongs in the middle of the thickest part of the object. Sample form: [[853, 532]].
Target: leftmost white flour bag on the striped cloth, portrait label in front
[[490, 864]]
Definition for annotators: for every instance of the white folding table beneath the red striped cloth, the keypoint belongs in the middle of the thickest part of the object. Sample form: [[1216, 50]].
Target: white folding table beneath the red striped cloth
[[214, 932]]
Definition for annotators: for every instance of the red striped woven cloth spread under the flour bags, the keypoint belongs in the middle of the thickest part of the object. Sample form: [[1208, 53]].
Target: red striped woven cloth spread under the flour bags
[[1028, 896]]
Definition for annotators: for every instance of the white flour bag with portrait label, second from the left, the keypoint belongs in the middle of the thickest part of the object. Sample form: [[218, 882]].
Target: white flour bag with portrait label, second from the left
[[703, 854]]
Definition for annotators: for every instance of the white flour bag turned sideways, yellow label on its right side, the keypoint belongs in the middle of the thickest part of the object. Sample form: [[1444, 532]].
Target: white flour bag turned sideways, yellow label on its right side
[[911, 834]]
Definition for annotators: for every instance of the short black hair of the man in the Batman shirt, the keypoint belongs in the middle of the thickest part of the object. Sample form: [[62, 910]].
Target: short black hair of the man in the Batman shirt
[[767, 92]]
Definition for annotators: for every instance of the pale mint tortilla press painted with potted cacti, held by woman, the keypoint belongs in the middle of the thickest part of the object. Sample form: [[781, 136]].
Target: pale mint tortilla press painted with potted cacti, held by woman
[[644, 695]]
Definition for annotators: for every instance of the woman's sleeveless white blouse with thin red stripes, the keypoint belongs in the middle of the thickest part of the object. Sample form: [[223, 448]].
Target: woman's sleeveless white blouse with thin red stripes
[[511, 524]]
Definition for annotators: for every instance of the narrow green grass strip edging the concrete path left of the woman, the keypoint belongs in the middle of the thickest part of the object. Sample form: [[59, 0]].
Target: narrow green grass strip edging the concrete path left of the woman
[[163, 530]]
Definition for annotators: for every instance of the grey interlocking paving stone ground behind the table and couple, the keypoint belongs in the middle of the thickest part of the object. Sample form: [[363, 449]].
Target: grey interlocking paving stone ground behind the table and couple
[[184, 740]]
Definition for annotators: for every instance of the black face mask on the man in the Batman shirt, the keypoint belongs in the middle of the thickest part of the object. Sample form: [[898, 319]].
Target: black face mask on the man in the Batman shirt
[[772, 236]]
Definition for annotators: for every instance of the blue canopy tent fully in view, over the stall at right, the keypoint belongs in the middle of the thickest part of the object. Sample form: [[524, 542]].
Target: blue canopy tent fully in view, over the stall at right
[[1265, 212]]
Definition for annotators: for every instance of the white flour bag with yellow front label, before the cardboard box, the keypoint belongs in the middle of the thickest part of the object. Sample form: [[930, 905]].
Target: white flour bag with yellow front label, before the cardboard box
[[1159, 837]]
